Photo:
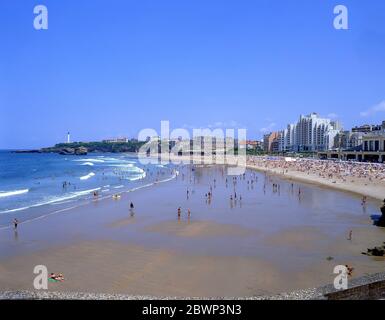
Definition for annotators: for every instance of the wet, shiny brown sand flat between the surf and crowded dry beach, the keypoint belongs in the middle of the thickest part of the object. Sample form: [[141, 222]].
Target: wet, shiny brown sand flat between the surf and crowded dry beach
[[269, 242]]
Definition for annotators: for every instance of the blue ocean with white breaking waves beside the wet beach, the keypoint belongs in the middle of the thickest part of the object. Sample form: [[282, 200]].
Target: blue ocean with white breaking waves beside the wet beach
[[33, 185]]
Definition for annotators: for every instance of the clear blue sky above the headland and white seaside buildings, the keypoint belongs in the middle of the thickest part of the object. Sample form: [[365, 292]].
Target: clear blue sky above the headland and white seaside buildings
[[109, 68]]
